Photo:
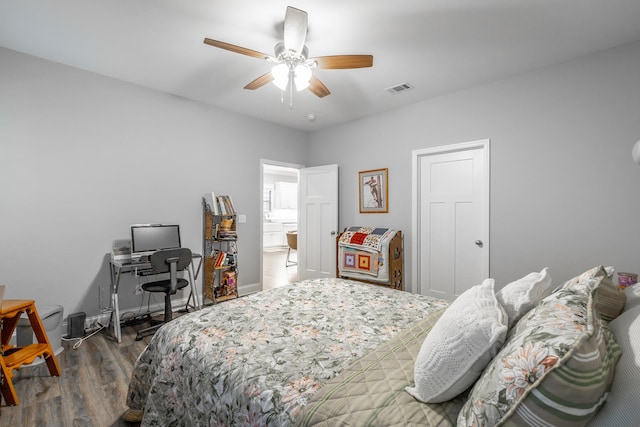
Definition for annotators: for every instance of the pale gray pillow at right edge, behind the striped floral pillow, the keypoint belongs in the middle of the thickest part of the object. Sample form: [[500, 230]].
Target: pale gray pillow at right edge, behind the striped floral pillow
[[621, 407]]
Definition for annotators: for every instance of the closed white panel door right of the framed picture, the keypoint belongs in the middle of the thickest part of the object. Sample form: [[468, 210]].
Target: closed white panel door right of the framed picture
[[451, 219]]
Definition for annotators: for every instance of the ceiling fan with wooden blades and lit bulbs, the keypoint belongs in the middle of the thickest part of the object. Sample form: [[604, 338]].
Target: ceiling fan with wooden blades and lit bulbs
[[293, 65]]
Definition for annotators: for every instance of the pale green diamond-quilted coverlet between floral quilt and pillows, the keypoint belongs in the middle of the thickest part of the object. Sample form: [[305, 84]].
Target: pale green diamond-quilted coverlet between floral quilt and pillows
[[371, 391]]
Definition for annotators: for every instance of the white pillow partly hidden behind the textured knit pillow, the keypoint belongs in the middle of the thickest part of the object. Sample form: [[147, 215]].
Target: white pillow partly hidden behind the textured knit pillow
[[518, 297]]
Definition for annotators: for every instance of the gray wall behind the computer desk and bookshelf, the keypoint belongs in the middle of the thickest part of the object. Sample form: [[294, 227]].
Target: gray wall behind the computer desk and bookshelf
[[83, 156]]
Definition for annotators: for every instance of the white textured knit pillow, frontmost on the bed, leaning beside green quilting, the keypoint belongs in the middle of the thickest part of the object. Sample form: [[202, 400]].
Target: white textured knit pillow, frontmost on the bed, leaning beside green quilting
[[462, 342]]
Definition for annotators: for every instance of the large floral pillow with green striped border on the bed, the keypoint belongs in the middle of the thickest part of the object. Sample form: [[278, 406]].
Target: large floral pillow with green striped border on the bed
[[556, 367]]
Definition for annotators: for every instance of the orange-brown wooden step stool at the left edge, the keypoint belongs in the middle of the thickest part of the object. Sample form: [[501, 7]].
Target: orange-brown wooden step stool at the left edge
[[13, 357]]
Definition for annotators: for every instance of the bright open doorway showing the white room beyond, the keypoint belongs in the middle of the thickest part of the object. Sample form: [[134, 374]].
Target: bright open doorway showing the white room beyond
[[279, 202]]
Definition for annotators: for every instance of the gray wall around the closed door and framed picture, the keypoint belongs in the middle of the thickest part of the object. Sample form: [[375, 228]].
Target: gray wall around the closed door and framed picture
[[564, 190]]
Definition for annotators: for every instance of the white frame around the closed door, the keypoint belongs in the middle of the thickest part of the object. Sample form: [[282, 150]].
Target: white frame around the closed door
[[416, 155]]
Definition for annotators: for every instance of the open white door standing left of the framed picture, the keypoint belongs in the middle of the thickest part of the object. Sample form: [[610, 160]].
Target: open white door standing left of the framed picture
[[318, 226]]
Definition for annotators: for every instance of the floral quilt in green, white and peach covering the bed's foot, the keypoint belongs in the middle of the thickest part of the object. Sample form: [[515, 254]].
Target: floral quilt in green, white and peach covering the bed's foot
[[257, 360]]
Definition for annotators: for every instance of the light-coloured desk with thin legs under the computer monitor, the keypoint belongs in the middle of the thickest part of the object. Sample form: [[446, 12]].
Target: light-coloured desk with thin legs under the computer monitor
[[118, 267]]
